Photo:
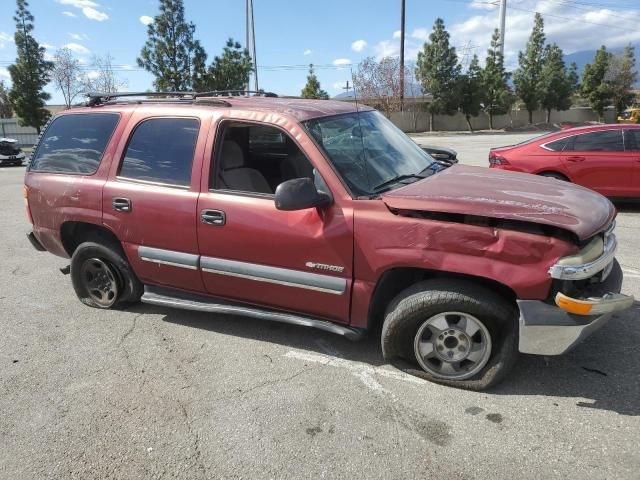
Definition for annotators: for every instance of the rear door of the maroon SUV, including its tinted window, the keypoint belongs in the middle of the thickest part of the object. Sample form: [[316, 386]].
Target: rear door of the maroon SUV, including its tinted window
[[151, 197]]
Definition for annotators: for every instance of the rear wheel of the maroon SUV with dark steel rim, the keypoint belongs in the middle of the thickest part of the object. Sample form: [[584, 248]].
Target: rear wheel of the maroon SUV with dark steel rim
[[102, 276]]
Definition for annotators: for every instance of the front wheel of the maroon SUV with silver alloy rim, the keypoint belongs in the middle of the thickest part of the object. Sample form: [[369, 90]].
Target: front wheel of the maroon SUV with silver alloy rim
[[452, 332]]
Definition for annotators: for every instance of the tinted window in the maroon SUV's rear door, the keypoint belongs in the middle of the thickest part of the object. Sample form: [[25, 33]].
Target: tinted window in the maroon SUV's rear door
[[161, 150]]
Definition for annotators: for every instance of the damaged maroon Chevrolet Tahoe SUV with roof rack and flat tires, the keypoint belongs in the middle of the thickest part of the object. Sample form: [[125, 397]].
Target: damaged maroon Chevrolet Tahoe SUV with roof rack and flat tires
[[321, 214]]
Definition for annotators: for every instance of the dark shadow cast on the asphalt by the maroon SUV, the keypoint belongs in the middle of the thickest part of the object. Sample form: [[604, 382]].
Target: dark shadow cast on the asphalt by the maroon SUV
[[601, 373]]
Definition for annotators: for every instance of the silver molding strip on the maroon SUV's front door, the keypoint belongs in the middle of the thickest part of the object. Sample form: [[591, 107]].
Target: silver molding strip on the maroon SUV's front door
[[280, 276]]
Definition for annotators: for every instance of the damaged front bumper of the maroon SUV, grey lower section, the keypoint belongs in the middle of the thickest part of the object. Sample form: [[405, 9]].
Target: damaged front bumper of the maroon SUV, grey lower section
[[547, 329]]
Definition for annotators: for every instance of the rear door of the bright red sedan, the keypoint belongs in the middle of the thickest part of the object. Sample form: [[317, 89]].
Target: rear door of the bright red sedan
[[598, 160]]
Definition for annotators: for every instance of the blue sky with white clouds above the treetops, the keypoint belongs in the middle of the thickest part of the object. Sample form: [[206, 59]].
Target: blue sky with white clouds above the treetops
[[328, 33]]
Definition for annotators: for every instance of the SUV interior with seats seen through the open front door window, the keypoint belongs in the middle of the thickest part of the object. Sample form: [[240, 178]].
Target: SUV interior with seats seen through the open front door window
[[257, 158]]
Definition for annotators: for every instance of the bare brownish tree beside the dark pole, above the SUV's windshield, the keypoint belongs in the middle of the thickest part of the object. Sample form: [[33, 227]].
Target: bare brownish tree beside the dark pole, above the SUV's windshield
[[378, 83]]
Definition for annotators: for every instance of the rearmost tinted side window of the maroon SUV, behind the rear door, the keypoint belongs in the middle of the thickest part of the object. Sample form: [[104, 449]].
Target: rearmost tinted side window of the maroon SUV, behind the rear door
[[74, 143]]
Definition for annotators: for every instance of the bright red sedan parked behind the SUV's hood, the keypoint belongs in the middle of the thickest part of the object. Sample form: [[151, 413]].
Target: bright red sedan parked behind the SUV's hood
[[605, 158]]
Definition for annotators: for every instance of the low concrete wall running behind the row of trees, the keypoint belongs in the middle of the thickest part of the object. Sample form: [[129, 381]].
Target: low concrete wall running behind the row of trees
[[419, 121]]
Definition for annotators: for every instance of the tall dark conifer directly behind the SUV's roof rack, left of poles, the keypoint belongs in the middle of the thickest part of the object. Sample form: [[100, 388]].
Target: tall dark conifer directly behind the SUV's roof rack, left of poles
[[171, 54]]
